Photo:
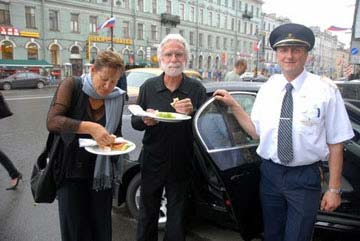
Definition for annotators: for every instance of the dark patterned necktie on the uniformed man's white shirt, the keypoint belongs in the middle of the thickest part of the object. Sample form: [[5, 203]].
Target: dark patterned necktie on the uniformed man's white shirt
[[285, 145]]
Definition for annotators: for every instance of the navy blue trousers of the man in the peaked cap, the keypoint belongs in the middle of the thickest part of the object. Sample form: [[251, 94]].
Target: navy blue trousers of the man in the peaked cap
[[290, 199]]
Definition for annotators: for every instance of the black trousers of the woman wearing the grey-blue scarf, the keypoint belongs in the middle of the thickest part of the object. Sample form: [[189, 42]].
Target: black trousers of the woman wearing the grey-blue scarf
[[85, 214]]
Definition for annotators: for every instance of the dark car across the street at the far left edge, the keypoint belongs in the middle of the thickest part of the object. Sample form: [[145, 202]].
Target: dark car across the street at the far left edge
[[24, 80]]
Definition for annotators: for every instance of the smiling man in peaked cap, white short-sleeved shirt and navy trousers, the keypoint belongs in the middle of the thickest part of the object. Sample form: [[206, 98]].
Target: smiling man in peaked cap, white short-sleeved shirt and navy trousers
[[300, 119]]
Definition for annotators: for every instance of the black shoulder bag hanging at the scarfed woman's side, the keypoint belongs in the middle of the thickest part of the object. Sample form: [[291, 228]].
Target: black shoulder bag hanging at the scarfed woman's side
[[44, 181]]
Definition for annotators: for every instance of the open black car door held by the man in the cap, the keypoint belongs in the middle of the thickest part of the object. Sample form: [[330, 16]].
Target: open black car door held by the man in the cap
[[223, 148]]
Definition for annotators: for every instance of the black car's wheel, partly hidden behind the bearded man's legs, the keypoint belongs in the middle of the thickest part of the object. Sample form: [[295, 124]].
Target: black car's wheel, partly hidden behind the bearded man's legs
[[133, 201]]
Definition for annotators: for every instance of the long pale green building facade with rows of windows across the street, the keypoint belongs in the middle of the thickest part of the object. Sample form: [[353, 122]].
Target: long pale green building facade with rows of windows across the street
[[65, 33]]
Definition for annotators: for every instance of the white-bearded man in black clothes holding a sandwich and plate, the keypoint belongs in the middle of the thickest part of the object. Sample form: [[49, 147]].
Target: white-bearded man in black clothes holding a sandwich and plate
[[167, 147]]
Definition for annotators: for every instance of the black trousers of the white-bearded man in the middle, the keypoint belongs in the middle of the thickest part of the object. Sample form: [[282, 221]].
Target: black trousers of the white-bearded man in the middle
[[150, 198]]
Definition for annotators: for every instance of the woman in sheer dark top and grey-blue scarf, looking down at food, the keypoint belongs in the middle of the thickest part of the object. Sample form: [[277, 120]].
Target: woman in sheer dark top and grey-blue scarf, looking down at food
[[85, 195]]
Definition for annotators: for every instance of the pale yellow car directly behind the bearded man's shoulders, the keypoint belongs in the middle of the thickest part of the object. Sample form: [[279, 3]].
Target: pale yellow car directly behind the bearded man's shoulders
[[136, 77]]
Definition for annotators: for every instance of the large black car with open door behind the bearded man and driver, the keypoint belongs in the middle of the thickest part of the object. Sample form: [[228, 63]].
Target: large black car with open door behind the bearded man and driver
[[225, 184]]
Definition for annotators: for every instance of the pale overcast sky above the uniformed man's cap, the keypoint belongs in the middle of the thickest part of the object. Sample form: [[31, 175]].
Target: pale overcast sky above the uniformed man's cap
[[322, 13]]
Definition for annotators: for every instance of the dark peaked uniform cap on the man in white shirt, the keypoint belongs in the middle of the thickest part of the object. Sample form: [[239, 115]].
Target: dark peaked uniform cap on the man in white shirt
[[292, 34]]
